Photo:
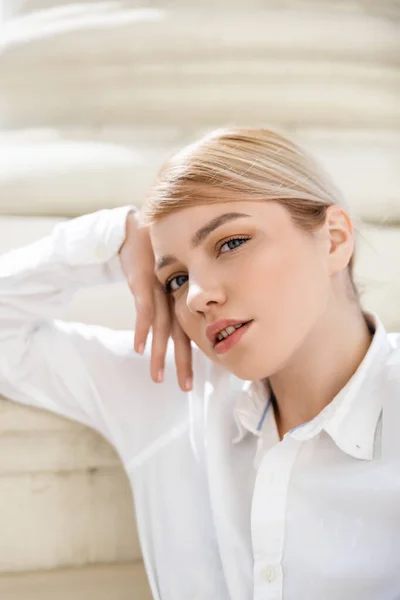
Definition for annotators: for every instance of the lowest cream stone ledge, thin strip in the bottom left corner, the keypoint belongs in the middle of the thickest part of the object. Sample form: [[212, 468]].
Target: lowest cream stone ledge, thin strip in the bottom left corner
[[102, 582]]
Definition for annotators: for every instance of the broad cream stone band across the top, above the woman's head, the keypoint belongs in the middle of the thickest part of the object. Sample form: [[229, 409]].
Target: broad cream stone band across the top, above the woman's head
[[121, 64]]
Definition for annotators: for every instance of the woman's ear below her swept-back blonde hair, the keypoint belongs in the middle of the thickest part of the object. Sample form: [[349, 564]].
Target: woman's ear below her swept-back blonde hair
[[340, 230]]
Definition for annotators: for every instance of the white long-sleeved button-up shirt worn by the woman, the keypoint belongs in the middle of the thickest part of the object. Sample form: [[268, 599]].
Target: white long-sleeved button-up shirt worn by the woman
[[225, 510]]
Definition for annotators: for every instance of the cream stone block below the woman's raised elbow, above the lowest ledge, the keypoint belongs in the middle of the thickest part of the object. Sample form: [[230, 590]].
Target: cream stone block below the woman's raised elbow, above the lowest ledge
[[64, 497]]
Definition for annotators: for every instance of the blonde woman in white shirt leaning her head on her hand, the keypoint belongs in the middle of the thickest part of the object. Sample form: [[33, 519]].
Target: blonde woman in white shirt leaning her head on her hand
[[269, 468]]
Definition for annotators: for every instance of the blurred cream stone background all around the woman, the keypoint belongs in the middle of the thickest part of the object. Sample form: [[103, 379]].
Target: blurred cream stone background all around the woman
[[93, 97]]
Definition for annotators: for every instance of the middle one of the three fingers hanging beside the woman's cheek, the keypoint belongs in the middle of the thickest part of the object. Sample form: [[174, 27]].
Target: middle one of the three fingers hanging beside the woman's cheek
[[161, 331]]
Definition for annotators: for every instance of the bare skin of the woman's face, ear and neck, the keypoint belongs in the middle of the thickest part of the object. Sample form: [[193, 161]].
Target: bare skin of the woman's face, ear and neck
[[308, 336]]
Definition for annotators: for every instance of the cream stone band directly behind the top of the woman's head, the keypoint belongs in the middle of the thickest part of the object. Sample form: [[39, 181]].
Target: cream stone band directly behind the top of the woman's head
[[64, 173]]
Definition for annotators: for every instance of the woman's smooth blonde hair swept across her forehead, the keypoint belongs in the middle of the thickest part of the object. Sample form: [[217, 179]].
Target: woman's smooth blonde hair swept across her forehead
[[243, 163]]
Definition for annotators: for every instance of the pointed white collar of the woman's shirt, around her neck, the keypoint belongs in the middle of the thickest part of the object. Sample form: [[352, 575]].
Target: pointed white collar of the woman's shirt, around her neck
[[352, 416]]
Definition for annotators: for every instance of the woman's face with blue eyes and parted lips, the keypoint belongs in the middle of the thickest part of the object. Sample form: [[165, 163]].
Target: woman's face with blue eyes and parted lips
[[271, 273]]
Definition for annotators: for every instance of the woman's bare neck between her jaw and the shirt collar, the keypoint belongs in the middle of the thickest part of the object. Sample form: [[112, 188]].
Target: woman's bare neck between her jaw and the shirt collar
[[321, 367]]
